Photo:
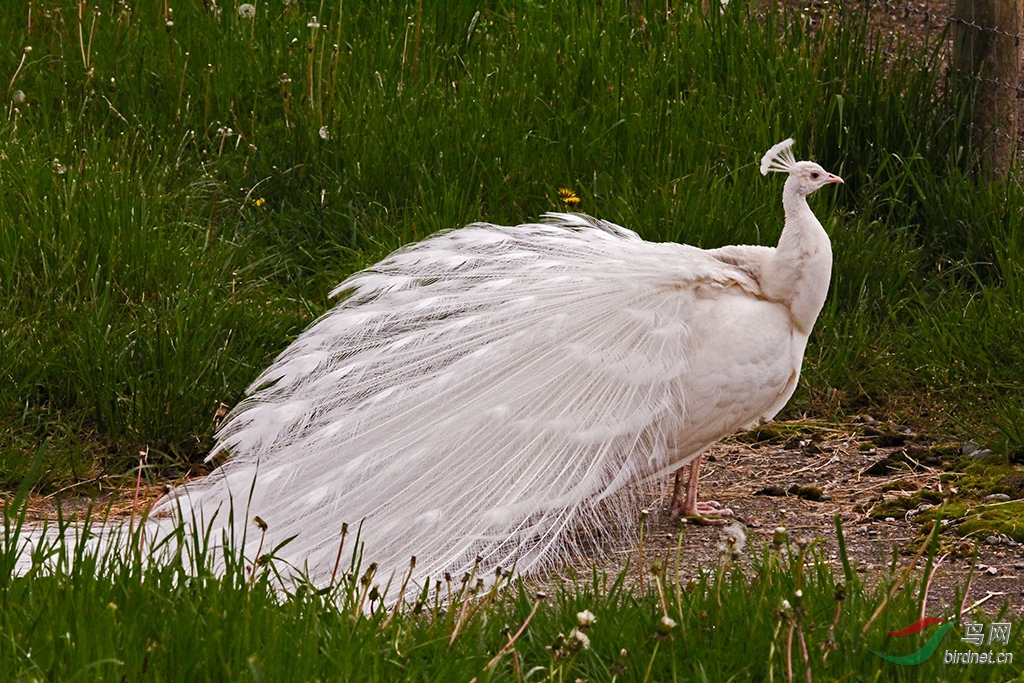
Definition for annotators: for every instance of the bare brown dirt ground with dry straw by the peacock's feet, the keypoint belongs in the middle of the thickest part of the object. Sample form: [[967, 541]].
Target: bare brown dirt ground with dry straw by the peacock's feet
[[760, 484]]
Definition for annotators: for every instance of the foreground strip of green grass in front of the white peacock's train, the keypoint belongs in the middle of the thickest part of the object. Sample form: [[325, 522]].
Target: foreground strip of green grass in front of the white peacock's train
[[107, 618]]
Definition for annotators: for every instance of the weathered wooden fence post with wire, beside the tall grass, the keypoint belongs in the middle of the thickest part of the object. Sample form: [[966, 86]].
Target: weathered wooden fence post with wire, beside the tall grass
[[988, 56]]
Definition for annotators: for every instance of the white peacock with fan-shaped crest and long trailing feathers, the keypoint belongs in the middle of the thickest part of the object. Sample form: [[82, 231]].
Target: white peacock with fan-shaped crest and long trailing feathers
[[485, 392]]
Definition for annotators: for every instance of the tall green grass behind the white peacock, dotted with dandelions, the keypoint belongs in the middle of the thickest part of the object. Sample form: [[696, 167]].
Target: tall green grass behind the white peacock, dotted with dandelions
[[178, 199]]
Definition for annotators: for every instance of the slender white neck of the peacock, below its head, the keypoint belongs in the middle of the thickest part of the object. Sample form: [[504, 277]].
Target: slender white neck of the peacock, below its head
[[799, 273]]
